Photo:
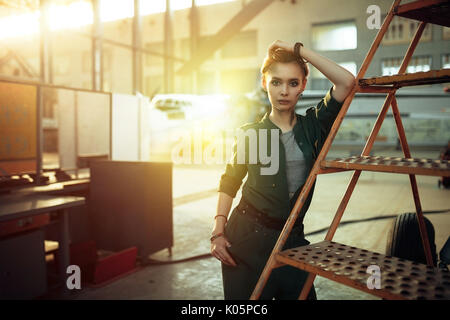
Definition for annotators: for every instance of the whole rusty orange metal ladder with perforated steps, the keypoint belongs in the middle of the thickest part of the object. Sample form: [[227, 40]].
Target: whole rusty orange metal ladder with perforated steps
[[402, 279]]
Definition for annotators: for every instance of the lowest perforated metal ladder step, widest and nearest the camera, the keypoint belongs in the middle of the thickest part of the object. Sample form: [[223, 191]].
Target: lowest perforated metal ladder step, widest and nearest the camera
[[400, 278]]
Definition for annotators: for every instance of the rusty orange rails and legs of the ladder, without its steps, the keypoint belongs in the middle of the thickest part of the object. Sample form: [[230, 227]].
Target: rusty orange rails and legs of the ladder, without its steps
[[390, 100]]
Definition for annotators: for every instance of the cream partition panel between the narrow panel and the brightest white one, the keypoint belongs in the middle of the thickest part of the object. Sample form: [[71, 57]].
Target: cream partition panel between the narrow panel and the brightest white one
[[93, 123]]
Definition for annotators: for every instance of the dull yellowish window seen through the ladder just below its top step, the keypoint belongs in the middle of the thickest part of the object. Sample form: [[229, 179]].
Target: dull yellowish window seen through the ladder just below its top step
[[402, 30]]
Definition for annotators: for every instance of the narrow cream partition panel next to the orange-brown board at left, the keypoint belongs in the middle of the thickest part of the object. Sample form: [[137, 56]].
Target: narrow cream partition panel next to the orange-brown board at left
[[66, 128]]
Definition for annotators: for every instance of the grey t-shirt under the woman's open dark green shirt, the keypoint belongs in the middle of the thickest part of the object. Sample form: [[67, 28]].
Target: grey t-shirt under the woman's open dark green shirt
[[295, 162]]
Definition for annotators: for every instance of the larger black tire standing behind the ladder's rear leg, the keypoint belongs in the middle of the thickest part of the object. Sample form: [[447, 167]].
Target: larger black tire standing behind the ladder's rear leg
[[405, 242]]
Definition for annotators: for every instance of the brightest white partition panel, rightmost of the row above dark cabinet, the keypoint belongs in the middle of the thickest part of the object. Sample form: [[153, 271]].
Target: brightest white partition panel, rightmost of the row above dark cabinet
[[125, 127]]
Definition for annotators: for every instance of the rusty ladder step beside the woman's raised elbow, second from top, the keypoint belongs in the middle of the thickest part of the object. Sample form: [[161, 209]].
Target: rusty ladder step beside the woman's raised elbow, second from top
[[409, 79]]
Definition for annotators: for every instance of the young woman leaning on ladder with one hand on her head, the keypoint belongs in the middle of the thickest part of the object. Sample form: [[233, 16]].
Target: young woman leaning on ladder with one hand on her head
[[244, 243]]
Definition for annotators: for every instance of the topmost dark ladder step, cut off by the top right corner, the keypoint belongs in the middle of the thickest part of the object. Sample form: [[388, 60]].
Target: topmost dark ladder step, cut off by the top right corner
[[430, 11]]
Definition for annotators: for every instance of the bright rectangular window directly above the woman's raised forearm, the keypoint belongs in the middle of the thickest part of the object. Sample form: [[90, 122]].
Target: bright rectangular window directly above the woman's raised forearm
[[334, 36]]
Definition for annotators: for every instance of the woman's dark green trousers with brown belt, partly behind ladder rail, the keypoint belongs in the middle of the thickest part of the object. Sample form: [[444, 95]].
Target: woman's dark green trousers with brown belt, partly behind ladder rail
[[251, 246]]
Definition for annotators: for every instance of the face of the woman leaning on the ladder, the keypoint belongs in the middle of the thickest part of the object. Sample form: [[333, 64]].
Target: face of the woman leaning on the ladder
[[284, 83]]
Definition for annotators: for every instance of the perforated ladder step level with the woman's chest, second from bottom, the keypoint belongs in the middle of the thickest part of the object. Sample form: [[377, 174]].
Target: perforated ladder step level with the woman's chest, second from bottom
[[427, 167]]
